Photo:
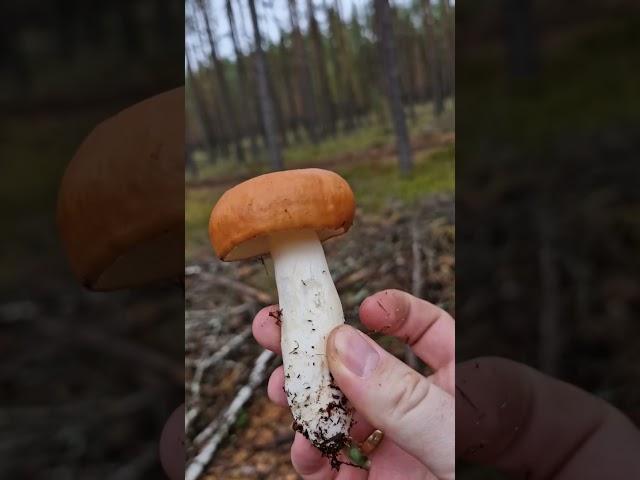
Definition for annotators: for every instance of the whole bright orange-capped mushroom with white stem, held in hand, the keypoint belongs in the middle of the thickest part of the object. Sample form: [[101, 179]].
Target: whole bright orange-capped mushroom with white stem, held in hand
[[288, 214]]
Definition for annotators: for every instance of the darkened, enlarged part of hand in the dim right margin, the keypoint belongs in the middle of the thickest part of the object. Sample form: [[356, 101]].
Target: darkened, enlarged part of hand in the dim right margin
[[522, 422]]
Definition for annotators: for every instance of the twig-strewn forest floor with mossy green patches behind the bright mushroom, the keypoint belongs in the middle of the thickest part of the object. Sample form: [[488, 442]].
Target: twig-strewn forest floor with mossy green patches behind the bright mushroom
[[407, 226]]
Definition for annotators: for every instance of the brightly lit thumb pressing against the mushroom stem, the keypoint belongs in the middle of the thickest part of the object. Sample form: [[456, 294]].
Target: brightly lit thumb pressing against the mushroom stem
[[410, 409]]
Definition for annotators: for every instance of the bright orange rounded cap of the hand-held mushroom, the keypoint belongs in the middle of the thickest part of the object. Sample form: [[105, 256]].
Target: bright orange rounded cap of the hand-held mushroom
[[306, 199]]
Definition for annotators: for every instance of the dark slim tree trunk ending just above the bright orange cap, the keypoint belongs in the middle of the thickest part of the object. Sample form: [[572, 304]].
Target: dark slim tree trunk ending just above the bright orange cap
[[266, 102]]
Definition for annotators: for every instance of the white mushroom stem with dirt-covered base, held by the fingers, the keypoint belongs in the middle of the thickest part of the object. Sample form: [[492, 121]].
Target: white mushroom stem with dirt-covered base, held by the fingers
[[310, 309]]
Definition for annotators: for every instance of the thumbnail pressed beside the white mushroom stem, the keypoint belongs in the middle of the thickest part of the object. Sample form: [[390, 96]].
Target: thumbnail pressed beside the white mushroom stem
[[355, 352]]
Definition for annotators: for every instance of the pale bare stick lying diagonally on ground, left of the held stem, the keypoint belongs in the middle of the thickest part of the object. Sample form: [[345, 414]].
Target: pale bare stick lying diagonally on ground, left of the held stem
[[223, 423]]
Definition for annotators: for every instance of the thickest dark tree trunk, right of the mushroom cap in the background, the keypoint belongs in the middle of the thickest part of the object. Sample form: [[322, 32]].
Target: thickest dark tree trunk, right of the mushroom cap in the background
[[392, 77]]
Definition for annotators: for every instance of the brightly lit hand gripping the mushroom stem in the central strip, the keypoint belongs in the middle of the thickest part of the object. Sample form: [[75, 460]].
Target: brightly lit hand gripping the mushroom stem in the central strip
[[416, 413]]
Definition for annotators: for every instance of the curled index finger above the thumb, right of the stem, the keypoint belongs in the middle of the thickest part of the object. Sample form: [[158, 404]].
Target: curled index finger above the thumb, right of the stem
[[427, 329]]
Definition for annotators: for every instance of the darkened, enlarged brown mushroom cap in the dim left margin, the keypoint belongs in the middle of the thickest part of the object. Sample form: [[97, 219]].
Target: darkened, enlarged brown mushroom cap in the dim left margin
[[121, 200]]
